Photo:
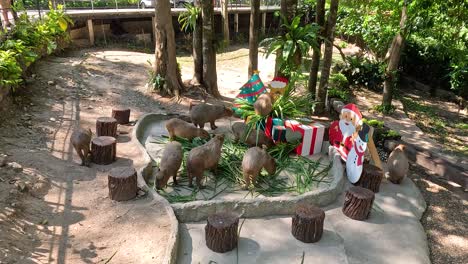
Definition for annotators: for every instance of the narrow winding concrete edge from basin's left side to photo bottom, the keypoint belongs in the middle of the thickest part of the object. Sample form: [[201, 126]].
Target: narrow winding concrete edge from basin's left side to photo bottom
[[172, 244]]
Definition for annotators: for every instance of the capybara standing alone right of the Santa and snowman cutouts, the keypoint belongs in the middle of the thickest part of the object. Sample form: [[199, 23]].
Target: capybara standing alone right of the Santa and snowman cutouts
[[397, 164]]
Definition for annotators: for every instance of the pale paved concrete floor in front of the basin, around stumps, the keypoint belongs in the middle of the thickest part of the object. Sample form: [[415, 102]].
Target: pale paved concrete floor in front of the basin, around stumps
[[392, 234]]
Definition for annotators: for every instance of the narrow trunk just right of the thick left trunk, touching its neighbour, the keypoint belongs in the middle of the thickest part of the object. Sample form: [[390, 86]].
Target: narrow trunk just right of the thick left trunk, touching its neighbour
[[198, 50]]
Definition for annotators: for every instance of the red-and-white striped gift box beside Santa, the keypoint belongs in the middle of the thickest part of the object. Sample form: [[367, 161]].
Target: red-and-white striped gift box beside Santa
[[312, 136]]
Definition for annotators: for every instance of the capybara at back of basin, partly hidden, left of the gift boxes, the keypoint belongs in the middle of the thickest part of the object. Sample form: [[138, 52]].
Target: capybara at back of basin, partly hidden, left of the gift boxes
[[240, 131]]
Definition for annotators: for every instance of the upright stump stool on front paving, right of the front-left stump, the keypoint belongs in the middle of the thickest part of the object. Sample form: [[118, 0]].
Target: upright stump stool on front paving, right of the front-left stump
[[307, 223]]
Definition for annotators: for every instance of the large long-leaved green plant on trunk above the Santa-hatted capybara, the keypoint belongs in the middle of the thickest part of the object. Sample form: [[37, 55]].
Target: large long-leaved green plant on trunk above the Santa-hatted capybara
[[295, 43]]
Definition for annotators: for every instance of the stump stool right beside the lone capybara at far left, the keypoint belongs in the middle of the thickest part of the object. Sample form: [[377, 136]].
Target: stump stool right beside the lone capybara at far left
[[103, 150]]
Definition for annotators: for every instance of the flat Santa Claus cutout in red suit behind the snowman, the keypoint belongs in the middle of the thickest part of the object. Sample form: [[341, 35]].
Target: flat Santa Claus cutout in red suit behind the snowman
[[343, 132]]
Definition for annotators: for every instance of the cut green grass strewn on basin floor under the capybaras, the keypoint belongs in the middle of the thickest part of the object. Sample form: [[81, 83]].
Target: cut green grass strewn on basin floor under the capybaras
[[307, 173]]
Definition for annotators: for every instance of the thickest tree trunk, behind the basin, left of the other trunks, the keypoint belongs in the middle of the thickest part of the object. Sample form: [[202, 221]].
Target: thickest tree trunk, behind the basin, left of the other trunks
[[166, 62]]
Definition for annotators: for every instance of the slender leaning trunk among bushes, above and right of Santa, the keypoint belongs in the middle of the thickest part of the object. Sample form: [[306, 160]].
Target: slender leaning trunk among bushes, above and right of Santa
[[394, 60]]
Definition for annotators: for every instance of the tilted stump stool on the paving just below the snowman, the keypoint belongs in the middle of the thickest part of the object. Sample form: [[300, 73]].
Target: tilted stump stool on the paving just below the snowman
[[358, 203]]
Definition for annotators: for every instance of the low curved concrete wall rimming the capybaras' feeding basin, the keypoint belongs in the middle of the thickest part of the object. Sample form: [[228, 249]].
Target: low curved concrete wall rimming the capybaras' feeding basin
[[255, 207]]
